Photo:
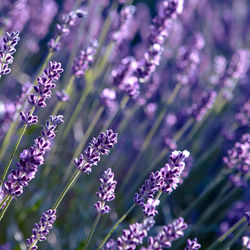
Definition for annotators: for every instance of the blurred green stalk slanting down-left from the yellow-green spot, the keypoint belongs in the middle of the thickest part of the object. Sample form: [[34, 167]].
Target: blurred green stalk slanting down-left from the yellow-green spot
[[77, 110]]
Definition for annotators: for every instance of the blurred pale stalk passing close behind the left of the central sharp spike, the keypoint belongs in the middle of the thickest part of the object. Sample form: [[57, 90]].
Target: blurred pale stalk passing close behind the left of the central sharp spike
[[83, 141]]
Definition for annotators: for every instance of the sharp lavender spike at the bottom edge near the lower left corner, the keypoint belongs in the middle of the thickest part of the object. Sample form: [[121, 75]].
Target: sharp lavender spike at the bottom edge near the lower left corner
[[41, 230]]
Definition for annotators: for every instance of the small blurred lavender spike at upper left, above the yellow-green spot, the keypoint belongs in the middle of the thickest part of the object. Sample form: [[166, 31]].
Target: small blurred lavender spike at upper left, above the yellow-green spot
[[85, 59]]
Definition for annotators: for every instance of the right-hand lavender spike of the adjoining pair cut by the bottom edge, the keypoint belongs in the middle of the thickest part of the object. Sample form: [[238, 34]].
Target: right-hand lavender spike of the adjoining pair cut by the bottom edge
[[167, 235]]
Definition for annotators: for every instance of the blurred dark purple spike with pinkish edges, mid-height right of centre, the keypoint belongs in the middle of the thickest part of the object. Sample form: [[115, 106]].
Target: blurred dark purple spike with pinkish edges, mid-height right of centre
[[198, 110]]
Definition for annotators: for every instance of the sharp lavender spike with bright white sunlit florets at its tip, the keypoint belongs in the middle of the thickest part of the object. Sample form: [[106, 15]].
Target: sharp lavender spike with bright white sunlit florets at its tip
[[166, 179]]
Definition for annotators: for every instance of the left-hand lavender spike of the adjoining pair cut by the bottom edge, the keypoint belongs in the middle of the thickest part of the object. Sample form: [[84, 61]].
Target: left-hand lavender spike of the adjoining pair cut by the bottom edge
[[131, 237]]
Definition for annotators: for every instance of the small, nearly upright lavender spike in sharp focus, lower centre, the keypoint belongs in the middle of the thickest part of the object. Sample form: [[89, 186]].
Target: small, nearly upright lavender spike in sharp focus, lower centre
[[107, 191]]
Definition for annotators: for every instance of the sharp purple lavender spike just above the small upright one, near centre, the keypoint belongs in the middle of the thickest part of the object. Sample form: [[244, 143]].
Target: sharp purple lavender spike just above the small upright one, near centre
[[98, 146]]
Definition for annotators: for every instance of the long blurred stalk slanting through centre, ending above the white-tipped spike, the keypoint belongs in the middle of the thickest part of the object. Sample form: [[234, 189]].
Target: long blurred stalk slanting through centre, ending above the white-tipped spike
[[150, 135]]
